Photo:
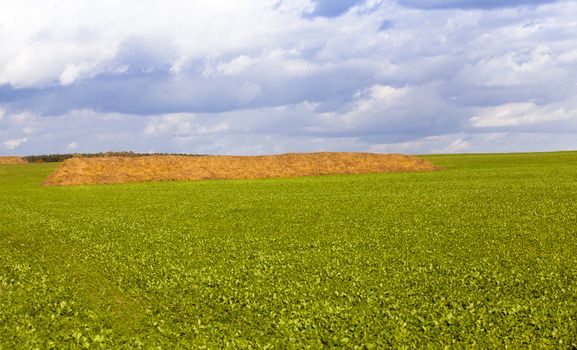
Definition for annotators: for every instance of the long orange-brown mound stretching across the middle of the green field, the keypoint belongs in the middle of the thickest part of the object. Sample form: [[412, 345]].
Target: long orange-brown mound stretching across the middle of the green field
[[106, 170]]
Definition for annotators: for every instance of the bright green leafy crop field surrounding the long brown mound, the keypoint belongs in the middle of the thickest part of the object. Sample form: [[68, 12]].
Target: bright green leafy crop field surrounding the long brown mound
[[480, 255]]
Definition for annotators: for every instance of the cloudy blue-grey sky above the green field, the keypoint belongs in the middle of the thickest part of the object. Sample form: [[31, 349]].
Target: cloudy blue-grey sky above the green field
[[249, 77]]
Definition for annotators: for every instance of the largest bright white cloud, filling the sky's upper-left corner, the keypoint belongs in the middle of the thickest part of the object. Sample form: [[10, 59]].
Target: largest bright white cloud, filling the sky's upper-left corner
[[62, 41]]
